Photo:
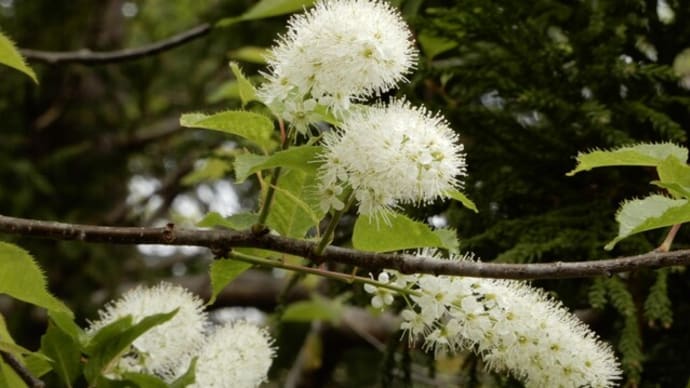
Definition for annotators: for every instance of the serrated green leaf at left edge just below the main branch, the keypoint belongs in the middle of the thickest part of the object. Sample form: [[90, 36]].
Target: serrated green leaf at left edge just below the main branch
[[21, 278]]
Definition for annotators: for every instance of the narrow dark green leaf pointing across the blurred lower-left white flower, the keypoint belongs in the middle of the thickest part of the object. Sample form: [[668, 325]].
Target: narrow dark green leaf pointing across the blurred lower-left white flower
[[110, 341]]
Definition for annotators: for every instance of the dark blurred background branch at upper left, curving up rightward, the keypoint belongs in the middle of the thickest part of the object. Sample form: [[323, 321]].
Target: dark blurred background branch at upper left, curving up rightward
[[88, 57]]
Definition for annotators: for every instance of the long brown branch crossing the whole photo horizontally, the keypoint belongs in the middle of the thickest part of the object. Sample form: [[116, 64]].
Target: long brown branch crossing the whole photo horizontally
[[222, 240]]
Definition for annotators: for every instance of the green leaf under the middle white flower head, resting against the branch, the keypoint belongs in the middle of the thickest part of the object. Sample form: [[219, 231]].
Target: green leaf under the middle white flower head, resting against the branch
[[399, 233]]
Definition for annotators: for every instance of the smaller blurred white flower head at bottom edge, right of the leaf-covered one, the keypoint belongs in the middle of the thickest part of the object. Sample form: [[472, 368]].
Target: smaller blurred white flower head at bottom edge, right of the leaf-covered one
[[237, 355]]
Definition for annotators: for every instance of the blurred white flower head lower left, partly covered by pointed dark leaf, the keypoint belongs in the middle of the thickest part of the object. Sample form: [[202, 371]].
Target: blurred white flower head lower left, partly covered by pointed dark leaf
[[164, 347]]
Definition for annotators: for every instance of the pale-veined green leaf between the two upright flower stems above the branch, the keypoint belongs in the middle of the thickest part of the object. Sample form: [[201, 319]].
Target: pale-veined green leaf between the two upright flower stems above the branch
[[295, 208]]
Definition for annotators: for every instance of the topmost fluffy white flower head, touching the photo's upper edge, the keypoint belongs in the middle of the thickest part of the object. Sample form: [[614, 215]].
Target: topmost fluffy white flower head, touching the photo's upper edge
[[337, 52]]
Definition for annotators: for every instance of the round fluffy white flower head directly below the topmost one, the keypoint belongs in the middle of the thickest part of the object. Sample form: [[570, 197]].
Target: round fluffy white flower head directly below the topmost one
[[391, 155]]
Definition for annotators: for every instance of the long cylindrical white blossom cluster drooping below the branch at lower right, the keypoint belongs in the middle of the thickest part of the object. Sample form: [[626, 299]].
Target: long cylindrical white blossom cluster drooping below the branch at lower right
[[514, 327]]
